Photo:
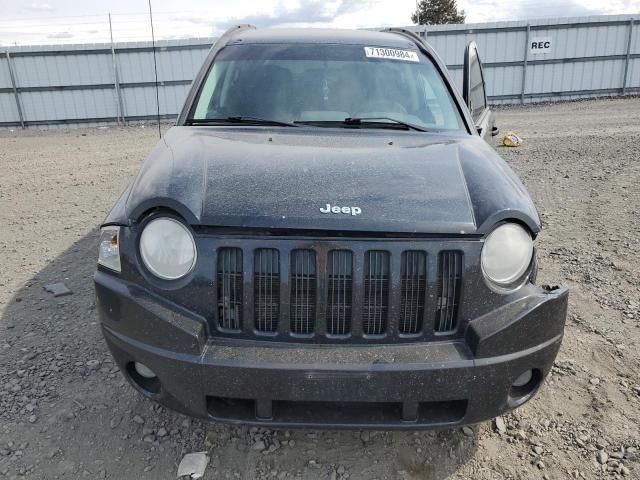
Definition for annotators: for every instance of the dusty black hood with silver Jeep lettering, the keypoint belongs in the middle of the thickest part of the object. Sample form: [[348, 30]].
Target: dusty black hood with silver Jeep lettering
[[400, 182]]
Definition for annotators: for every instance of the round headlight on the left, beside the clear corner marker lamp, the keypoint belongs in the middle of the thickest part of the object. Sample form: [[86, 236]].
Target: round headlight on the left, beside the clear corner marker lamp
[[167, 248]]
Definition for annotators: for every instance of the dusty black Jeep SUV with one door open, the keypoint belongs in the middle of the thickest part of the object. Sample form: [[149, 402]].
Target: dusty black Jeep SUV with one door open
[[325, 239]]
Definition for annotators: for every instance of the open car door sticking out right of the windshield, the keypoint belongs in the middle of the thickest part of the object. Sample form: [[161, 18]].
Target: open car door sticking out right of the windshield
[[474, 92]]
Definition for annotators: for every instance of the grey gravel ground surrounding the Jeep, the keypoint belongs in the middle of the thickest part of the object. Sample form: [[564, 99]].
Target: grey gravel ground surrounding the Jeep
[[66, 412]]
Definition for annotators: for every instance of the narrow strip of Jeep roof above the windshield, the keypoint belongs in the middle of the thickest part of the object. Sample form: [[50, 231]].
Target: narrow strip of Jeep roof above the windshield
[[323, 35]]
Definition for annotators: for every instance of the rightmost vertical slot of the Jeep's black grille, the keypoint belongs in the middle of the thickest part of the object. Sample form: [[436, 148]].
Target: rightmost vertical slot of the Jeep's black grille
[[449, 286]]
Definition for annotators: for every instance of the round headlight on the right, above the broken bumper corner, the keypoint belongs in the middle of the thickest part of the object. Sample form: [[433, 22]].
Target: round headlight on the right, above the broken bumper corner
[[506, 254]]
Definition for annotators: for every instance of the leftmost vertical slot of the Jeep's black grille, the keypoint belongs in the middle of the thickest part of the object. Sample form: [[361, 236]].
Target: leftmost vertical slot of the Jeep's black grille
[[230, 288]]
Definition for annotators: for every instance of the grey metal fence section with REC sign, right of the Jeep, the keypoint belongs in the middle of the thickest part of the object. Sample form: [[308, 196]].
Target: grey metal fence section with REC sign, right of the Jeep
[[590, 56]]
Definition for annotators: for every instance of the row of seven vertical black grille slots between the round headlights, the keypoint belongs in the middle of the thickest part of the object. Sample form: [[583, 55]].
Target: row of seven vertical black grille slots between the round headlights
[[336, 294]]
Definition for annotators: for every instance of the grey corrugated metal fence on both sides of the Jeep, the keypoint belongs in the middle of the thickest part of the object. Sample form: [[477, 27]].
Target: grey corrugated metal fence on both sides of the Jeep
[[90, 84]]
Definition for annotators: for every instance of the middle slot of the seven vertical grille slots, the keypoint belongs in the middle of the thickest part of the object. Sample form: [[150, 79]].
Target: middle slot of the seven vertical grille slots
[[339, 288]]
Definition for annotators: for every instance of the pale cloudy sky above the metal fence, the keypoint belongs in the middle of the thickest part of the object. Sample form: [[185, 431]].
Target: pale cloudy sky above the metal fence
[[85, 21]]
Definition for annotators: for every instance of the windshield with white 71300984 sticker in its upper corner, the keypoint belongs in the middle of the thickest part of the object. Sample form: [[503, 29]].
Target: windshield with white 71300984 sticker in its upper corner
[[324, 84]]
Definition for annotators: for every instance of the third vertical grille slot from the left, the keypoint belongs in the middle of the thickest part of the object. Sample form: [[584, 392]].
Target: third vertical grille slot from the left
[[303, 291]]
